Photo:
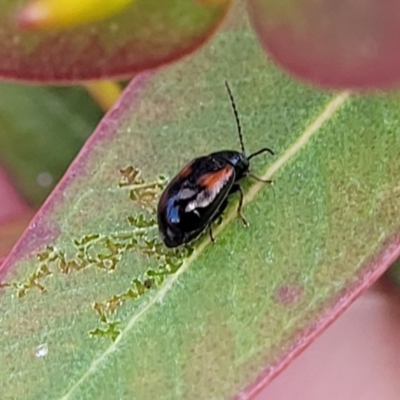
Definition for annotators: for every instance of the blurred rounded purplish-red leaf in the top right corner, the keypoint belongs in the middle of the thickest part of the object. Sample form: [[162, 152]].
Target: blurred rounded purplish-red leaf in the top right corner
[[350, 44]]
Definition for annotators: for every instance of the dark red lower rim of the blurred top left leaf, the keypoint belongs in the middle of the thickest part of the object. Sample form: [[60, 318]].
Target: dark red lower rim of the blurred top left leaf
[[126, 72]]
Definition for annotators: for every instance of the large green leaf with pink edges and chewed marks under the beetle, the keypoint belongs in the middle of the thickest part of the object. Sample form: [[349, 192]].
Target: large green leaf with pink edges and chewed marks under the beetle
[[207, 321]]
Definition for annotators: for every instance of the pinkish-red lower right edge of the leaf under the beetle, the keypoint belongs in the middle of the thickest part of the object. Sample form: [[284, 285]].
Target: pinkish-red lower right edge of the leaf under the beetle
[[375, 266]]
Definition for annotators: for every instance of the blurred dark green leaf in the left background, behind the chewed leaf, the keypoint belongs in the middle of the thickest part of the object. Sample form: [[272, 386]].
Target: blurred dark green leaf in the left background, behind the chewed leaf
[[41, 131]]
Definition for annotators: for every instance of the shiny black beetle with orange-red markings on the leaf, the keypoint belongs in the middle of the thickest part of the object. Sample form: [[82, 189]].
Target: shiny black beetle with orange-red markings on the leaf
[[198, 194]]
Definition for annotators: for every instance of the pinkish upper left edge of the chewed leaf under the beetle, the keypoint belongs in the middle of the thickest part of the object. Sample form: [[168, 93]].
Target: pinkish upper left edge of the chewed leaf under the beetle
[[38, 234]]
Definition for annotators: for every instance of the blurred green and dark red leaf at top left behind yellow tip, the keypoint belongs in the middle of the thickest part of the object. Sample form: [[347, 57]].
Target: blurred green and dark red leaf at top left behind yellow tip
[[146, 34]]
